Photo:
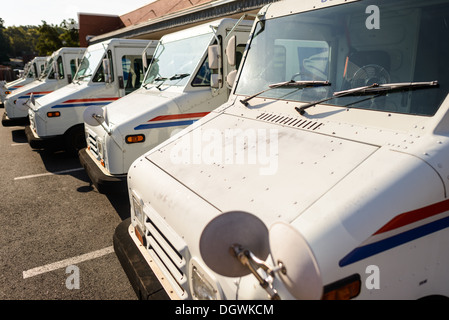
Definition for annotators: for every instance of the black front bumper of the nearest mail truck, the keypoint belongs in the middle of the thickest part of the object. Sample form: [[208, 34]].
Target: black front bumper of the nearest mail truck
[[144, 282]]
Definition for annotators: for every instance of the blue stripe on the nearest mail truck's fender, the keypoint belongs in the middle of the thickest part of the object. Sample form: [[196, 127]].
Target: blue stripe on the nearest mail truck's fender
[[386, 244]]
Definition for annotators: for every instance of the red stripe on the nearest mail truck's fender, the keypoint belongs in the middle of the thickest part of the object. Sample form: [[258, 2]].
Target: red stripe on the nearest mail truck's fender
[[415, 215]]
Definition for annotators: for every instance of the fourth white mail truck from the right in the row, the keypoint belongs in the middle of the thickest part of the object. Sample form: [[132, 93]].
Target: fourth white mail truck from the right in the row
[[59, 71]]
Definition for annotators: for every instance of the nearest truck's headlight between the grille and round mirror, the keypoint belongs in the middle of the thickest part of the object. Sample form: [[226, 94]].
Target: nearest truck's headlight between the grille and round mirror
[[202, 285]]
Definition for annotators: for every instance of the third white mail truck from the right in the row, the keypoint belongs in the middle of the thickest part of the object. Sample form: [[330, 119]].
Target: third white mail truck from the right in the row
[[108, 71]]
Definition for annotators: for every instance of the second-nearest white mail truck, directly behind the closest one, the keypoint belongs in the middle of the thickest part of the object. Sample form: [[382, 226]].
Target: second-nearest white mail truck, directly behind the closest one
[[180, 87]]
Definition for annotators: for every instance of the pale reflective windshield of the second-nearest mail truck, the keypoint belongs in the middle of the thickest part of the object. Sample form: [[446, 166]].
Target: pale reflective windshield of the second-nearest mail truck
[[173, 62]]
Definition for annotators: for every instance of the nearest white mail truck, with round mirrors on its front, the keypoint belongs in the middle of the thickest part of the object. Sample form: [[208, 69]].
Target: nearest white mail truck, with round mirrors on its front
[[324, 176]]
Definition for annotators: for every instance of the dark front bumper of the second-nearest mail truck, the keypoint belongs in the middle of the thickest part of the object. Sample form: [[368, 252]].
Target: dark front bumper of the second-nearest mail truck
[[104, 183]]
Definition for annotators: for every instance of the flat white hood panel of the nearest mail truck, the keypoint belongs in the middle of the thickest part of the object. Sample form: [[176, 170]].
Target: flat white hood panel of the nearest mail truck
[[284, 171]]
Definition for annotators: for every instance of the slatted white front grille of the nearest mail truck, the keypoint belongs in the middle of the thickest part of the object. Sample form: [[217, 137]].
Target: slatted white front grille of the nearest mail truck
[[168, 250]]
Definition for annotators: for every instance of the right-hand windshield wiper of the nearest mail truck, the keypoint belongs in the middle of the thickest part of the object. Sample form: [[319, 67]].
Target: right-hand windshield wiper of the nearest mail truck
[[374, 89]]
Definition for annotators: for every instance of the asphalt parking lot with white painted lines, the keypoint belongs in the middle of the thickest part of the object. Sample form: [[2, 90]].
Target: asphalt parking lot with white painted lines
[[55, 229]]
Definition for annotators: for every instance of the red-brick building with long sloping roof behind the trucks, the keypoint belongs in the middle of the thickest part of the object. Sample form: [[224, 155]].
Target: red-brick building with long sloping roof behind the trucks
[[160, 17]]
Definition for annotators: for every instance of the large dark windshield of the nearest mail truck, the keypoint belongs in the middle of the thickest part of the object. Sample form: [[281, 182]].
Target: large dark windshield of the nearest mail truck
[[352, 46]]
